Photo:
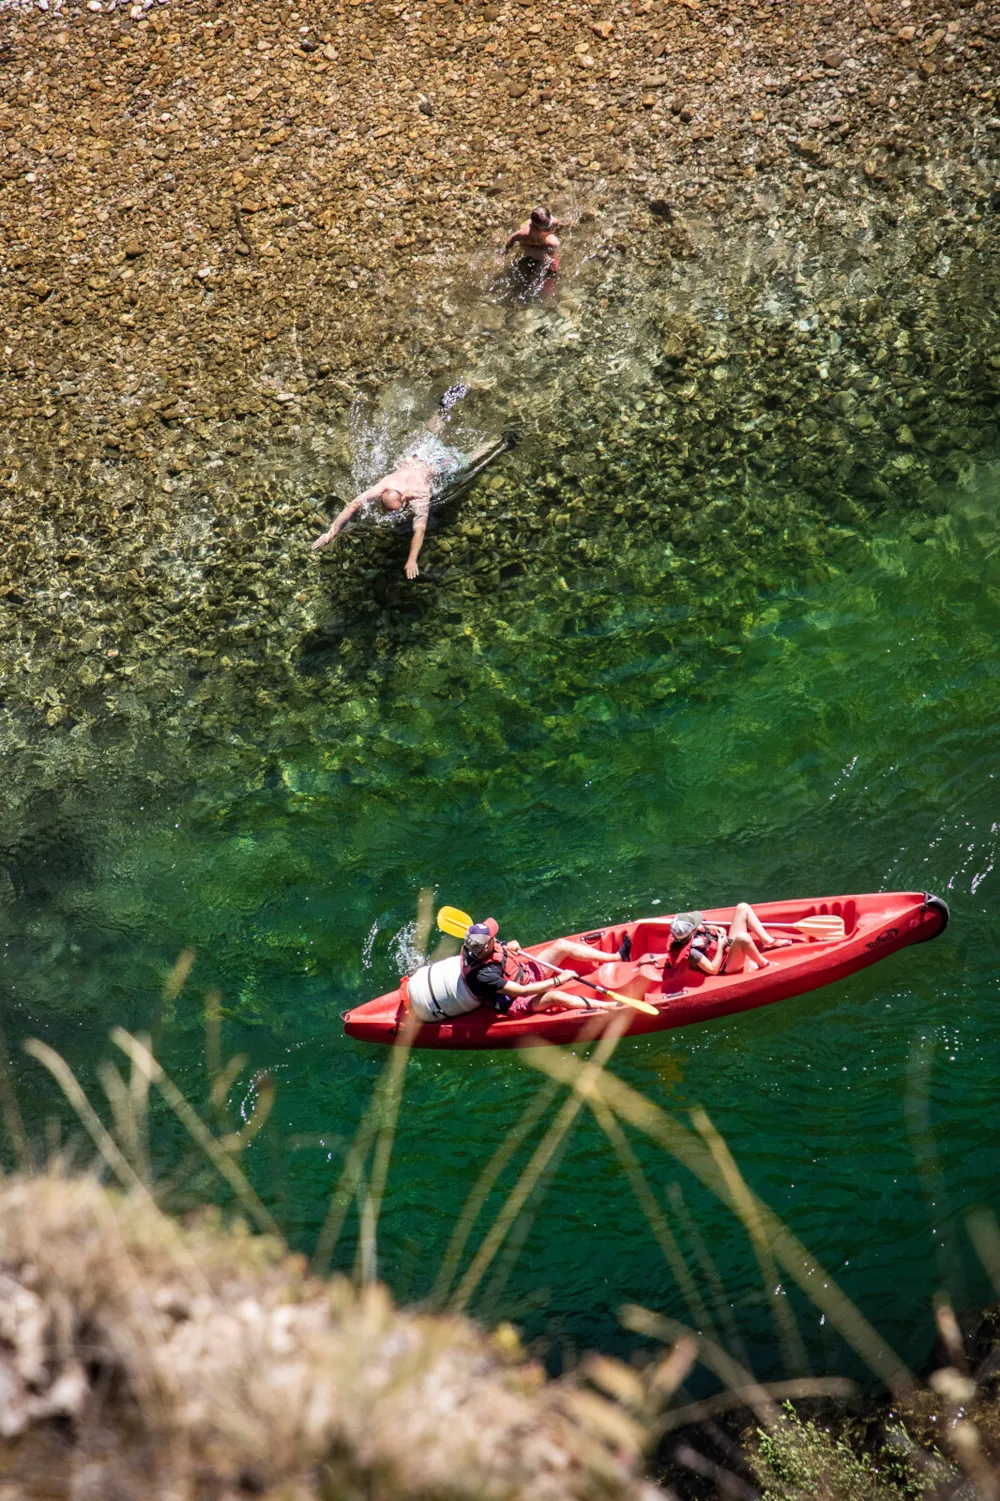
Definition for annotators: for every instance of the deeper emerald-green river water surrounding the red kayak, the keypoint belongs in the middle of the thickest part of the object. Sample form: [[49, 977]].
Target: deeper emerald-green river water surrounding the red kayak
[[580, 760]]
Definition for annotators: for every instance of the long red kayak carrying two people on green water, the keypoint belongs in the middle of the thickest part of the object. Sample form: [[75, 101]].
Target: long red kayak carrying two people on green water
[[875, 927]]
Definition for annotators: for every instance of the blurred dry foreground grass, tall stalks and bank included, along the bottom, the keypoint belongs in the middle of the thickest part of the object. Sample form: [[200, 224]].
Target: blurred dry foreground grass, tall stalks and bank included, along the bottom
[[211, 1358]]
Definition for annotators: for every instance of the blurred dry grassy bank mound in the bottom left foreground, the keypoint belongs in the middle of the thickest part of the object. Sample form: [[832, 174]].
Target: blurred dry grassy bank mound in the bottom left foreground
[[149, 1359]]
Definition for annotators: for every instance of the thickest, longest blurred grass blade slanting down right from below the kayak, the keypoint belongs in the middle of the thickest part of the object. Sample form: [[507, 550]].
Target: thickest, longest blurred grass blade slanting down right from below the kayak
[[798, 1263]]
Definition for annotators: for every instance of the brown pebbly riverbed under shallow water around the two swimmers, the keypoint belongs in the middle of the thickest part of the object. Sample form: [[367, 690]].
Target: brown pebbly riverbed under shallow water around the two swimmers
[[245, 247]]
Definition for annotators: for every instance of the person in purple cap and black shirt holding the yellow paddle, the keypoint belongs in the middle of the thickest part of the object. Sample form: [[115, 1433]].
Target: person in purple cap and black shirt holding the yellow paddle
[[510, 981]]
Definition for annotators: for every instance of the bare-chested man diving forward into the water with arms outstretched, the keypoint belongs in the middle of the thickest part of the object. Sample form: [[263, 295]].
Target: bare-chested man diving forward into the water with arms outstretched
[[424, 474]]
